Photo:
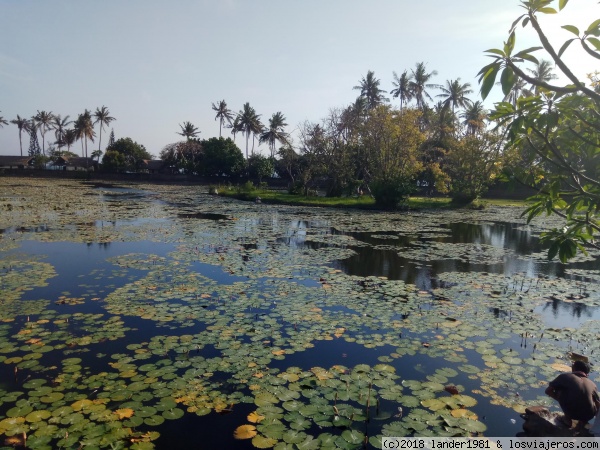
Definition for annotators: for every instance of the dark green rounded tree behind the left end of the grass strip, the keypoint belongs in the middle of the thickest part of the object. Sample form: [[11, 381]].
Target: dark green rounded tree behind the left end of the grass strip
[[221, 157]]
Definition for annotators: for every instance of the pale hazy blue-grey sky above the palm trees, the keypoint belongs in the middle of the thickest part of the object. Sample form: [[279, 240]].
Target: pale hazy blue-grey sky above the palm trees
[[156, 64]]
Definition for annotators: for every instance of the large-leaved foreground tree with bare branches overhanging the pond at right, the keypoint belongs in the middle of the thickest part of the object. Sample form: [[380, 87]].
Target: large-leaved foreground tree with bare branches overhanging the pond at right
[[559, 126]]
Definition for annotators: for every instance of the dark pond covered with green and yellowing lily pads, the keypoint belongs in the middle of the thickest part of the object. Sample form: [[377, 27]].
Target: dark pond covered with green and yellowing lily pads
[[155, 316]]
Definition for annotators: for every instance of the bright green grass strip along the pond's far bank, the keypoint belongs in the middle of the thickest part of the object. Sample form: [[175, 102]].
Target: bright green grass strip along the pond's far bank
[[362, 202]]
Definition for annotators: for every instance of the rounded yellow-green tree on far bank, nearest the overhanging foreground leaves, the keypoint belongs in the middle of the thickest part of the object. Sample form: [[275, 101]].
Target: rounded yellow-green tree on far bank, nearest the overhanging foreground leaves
[[473, 163]]
